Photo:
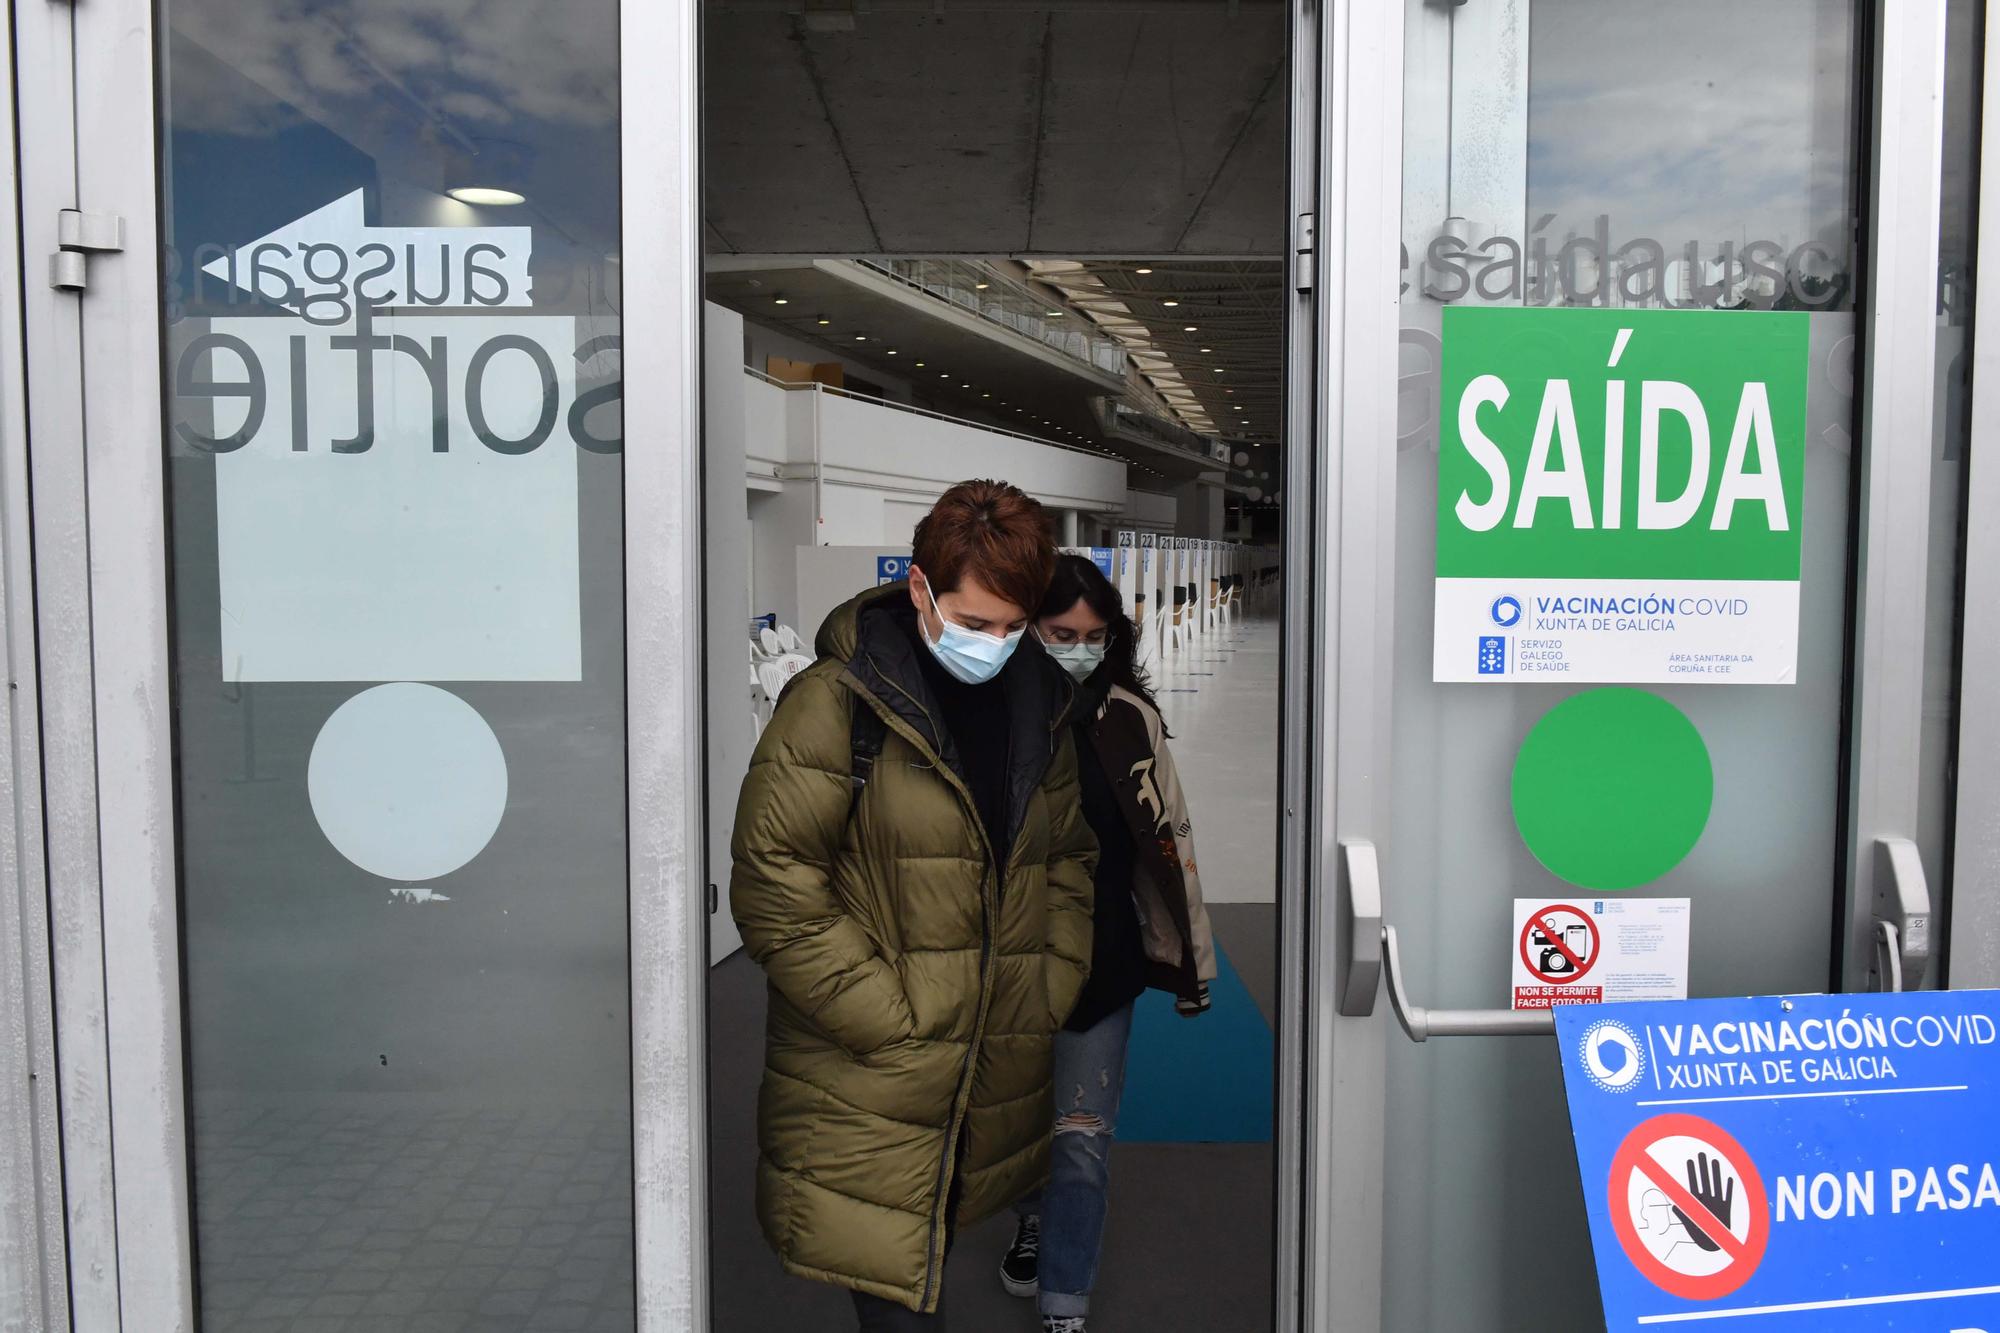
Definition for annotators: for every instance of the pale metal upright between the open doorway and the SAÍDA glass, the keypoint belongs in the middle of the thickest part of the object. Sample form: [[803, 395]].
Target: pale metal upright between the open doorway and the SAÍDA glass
[[1341, 397]]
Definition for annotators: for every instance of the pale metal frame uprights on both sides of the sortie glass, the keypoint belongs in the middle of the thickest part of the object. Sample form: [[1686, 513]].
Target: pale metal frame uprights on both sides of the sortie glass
[[99, 674]]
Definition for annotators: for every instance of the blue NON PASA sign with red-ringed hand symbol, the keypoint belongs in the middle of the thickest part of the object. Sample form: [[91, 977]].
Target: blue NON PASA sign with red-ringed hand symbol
[[1791, 1166]]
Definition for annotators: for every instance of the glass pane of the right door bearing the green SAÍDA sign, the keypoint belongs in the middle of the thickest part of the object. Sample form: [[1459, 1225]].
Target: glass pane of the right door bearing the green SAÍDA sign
[[1537, 207]]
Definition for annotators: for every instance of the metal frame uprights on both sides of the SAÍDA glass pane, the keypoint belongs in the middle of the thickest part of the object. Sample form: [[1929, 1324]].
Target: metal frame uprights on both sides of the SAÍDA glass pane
[[1347, 195]]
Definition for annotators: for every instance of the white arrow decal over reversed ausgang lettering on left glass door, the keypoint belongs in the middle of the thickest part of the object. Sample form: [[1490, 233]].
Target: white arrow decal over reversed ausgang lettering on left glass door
[[331, 257]]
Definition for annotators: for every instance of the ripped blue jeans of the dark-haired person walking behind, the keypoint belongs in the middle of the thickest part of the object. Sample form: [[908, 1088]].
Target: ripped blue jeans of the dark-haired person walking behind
[[1089, 1086]]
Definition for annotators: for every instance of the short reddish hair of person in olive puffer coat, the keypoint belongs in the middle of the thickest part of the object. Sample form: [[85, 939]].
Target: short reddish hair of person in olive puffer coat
[[993, 531]]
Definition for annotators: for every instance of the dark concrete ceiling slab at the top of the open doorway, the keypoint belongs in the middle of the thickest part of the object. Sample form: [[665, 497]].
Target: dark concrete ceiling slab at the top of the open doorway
[[987, 127]]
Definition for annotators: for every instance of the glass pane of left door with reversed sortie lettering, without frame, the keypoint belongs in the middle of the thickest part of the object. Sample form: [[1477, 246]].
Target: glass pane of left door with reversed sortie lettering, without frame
[[395, 493]]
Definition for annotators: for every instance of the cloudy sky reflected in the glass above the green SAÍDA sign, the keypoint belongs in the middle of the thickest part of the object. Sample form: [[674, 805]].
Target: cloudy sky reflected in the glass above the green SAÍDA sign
[[1683, 123]]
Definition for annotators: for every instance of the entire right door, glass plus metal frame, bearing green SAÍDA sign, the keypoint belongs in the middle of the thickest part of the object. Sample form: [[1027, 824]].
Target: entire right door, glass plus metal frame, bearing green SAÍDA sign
[[1617, 541]]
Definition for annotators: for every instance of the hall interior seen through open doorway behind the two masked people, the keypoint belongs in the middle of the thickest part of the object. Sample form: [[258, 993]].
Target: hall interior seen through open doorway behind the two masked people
[[1039, 243]]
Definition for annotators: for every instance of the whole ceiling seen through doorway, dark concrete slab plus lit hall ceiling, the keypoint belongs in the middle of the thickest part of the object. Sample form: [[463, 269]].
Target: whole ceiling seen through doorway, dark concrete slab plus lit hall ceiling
[[1117, 165]]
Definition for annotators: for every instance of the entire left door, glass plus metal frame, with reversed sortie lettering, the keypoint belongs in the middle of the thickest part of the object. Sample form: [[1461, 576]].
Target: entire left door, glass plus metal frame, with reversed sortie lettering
[[381, 734]]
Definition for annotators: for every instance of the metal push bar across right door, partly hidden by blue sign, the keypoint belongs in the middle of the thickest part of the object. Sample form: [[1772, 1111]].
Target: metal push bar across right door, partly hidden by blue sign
[[1903, 948]]
